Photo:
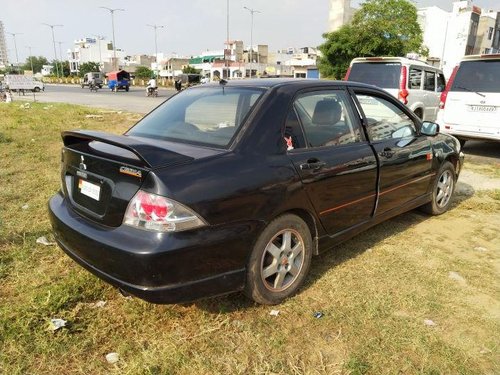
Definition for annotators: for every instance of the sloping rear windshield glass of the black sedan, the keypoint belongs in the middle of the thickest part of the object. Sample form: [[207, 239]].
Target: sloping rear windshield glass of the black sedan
[[207, 116]]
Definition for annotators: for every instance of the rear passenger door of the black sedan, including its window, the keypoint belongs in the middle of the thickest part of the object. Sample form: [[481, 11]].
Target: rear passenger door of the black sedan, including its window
[[335, 162]]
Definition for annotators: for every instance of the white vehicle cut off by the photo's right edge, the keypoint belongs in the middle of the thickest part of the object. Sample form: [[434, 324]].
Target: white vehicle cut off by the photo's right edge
[[470, 105]]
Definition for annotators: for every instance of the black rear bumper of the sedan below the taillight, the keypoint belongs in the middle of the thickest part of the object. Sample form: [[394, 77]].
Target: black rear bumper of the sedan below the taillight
[[159, 268]]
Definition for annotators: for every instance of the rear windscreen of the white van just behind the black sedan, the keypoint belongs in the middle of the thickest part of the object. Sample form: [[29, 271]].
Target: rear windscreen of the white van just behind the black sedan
[[384, 74]]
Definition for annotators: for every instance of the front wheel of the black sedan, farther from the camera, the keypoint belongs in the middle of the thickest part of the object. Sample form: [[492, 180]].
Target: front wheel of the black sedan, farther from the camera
[[442, 190]]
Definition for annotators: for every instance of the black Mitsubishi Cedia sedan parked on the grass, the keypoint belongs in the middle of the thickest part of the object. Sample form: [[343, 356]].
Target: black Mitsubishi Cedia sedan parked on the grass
[[235, 186]]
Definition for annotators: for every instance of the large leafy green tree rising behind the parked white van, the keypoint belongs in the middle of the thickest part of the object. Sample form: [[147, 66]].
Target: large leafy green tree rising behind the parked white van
[[378, 28]]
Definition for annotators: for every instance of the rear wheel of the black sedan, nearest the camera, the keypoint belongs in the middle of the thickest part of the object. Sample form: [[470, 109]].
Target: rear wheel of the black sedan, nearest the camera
[[280, 260]]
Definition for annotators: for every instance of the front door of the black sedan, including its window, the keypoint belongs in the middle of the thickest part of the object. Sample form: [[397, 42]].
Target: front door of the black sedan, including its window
[[404, 156]]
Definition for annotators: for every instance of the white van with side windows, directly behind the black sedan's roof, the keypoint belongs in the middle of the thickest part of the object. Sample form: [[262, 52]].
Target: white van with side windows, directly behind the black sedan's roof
[[414, 83]]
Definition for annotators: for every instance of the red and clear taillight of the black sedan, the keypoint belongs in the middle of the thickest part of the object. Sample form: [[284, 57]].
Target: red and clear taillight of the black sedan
[[156, 213]]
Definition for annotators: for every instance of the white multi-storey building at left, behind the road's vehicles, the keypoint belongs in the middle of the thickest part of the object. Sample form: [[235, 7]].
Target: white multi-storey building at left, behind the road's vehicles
[[97, 50]]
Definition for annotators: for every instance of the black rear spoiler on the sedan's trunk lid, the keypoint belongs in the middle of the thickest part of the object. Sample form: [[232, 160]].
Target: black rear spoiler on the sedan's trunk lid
[[151, 155]]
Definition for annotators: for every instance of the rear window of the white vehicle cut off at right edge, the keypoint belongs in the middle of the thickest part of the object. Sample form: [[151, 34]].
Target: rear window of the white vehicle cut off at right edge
[[482, 76]]
